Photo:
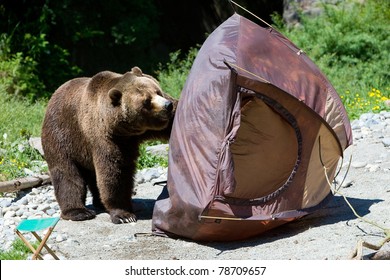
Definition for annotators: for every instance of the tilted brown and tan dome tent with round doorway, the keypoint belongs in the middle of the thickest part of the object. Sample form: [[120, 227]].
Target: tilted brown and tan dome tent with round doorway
[[256, 124]]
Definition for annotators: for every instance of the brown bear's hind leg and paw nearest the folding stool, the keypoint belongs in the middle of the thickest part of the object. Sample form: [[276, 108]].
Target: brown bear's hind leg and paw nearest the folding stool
[[71, 192]]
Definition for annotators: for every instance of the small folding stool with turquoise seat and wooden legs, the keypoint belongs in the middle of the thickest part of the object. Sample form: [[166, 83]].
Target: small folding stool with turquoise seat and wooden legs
[[34, 225]]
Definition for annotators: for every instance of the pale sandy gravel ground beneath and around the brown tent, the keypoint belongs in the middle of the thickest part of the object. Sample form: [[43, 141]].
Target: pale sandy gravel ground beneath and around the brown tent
[[331, 233]]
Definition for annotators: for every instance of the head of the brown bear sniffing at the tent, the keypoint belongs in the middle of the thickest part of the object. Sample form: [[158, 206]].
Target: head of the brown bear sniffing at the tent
[[136, 104]]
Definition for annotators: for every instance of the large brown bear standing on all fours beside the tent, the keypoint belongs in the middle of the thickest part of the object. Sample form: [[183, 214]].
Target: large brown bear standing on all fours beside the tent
[[91, 135]]
